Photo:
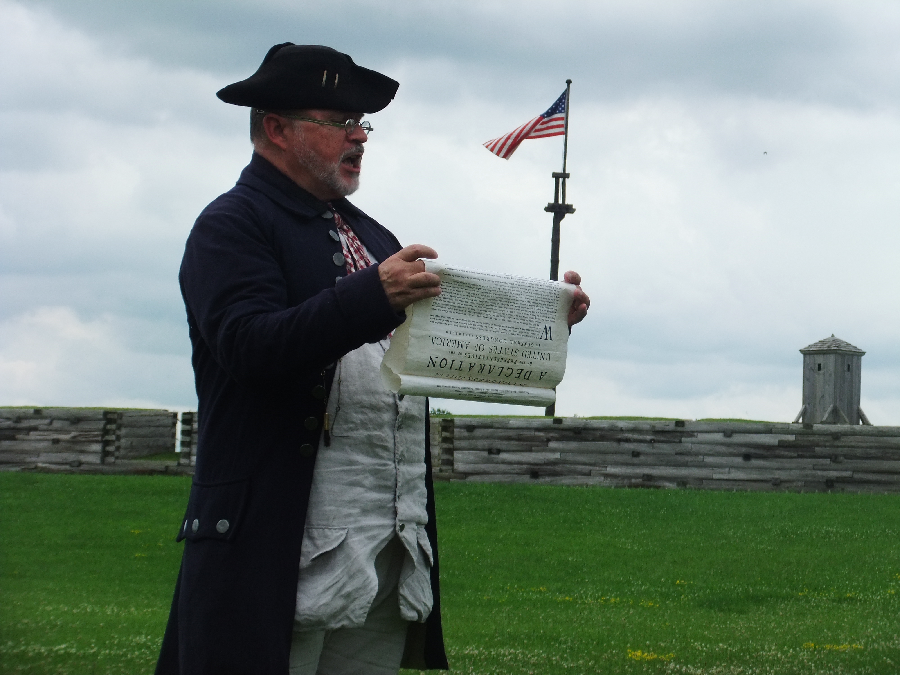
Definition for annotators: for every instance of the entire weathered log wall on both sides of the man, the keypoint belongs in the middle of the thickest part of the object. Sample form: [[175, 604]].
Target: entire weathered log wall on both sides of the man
[[568, 451]]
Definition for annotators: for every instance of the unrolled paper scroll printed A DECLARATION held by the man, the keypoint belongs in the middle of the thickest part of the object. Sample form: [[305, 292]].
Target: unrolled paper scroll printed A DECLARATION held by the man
[[488, 337]]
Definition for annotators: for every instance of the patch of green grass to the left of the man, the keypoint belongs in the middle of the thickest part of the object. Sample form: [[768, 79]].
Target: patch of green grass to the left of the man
[[87, 569]]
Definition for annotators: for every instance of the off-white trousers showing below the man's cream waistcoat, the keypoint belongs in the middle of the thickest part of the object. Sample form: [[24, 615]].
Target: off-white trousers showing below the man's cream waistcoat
[[376, 647]]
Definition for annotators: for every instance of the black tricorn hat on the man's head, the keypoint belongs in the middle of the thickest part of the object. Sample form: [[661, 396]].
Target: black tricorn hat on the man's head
[[294, 77]]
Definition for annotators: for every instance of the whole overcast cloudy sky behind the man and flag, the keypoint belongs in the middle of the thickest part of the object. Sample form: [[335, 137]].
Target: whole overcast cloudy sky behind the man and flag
[[735, 173]]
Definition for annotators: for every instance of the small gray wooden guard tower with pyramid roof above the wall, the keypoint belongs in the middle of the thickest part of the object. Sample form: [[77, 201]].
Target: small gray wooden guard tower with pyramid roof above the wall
[[831, 383]]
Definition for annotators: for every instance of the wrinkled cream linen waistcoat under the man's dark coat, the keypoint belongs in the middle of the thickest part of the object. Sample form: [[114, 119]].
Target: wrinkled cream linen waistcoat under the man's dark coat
[[368, 486]]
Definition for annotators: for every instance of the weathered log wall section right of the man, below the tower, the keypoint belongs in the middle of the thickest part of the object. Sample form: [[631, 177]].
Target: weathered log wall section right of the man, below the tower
[[669, 454]]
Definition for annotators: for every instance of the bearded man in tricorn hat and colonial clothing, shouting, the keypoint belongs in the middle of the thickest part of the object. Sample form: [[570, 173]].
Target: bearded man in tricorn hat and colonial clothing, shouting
[[310, 540]]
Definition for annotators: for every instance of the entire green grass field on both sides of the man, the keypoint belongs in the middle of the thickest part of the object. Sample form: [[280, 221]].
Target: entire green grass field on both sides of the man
[[536, 579]]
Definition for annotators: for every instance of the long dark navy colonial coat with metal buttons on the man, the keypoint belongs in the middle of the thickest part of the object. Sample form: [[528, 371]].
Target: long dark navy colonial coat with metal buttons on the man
[[267, 320]]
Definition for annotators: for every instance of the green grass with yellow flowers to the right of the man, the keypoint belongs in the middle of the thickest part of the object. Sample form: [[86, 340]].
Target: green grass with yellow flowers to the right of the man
[[568, 580]]
